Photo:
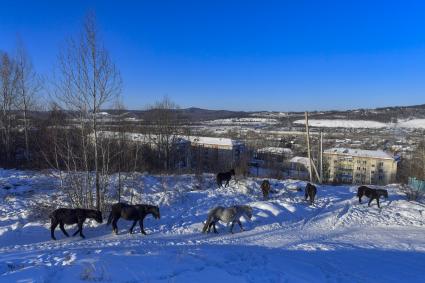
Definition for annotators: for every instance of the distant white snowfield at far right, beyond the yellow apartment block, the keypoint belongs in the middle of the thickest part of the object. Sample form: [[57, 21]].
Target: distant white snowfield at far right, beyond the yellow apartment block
[[341, 123]]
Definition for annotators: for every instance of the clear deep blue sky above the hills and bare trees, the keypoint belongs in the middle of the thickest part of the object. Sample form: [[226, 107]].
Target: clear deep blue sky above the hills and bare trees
[[242, 55]]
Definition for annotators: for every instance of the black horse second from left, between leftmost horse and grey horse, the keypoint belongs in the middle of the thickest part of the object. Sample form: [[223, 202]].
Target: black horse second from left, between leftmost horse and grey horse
[[135, 212]]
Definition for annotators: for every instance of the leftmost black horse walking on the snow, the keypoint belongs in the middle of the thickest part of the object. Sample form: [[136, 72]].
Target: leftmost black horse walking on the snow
[[62, 216]]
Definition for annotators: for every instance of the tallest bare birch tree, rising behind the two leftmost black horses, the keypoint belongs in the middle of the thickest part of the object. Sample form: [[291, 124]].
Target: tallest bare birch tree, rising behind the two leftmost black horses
[[88, 81]]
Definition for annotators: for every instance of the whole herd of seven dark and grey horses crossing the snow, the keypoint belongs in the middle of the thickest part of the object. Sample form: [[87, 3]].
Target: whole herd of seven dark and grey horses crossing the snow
[[137, 213]]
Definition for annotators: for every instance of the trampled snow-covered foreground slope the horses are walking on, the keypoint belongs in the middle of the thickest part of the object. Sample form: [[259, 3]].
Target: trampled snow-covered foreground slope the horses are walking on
[[287, 240]]
